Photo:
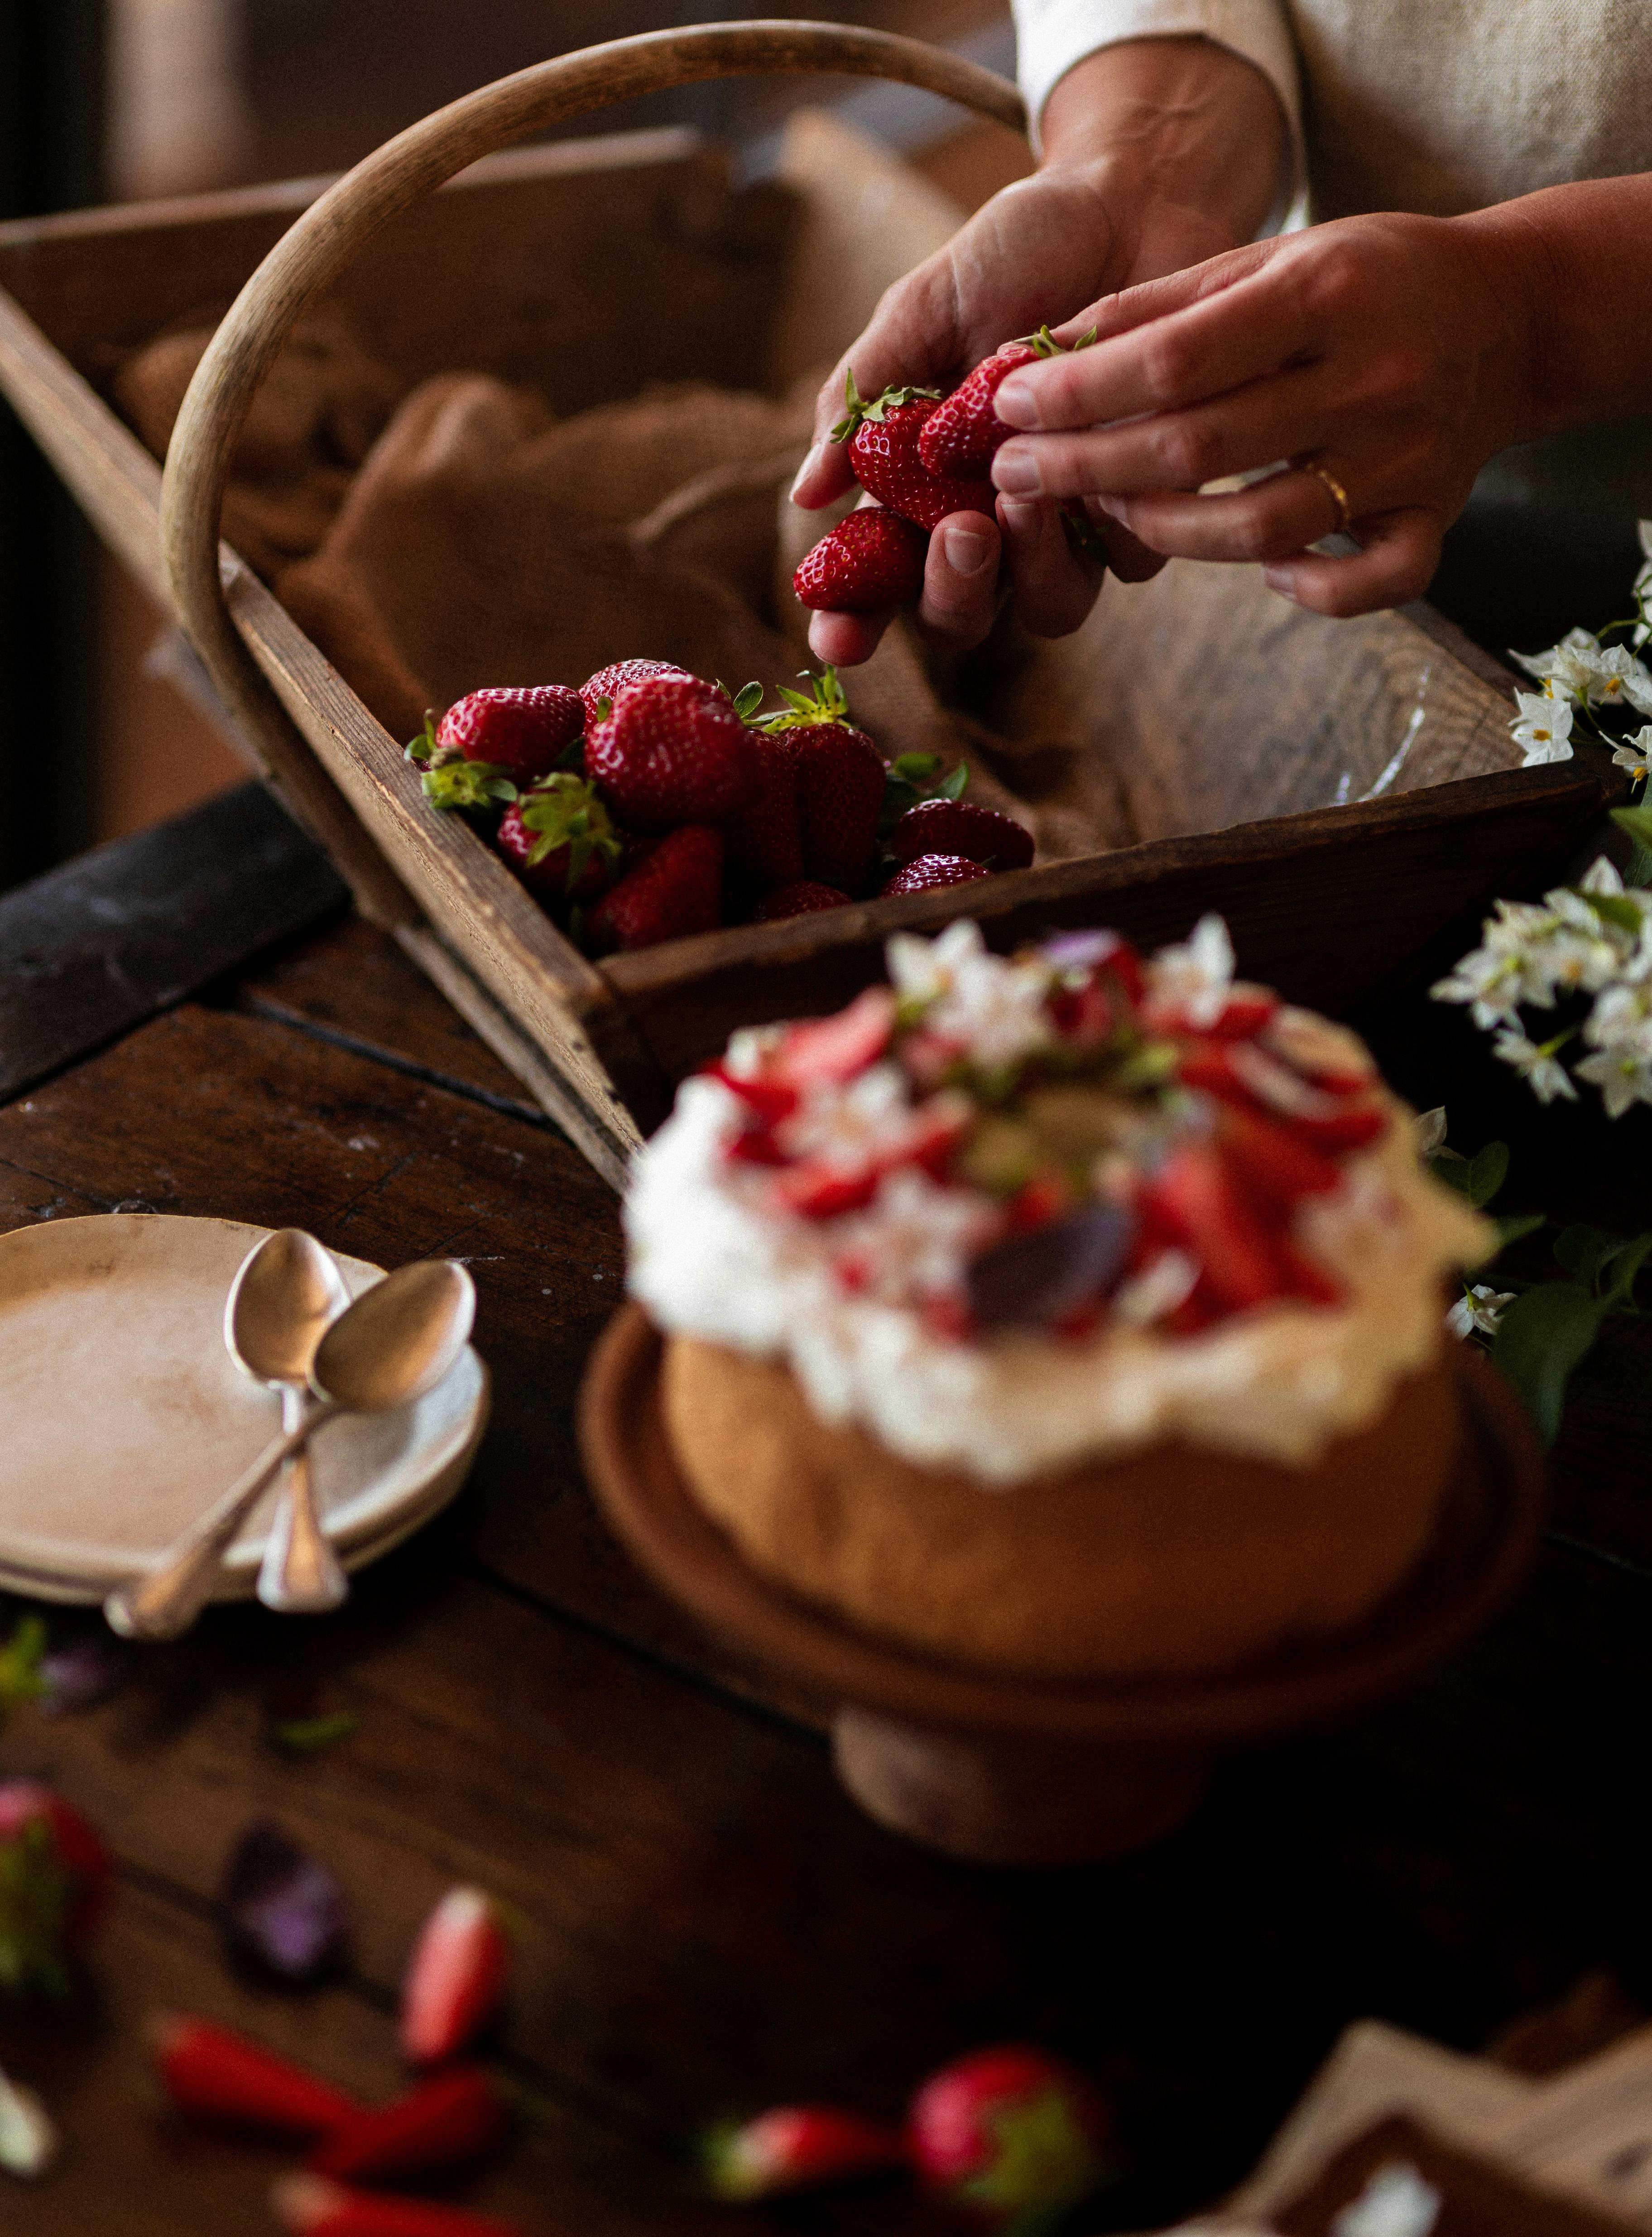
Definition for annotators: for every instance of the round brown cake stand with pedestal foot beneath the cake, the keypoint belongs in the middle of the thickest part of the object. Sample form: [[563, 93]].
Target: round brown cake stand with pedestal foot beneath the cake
[[1038, 1773]]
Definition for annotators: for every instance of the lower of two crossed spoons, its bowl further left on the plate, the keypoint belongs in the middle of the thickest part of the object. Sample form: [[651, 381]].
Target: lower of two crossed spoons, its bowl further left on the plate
[[281, 1308]]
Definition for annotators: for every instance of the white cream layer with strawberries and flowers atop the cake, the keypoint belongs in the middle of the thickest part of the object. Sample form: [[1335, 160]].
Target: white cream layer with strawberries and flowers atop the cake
[[1009, 1211]]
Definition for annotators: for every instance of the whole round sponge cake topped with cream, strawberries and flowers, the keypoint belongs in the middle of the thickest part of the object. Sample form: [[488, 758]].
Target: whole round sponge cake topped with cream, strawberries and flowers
[[1065, 1314]]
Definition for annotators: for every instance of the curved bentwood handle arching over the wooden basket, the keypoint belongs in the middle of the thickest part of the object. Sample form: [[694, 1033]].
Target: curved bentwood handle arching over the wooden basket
[[401, 173]]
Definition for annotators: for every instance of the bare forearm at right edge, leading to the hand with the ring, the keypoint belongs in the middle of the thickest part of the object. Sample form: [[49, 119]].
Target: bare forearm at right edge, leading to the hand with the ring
[[1573, 270]]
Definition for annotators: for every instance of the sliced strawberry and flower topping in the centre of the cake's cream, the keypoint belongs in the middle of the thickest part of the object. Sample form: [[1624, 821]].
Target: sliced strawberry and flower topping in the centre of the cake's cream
[[1143, 1153]]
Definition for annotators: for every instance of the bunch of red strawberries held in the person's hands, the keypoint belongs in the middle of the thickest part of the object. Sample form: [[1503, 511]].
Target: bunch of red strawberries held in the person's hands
[[922, 457]]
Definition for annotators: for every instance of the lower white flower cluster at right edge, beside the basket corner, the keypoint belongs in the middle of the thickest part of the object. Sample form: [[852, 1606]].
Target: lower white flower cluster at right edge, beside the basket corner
[[1582, 941]]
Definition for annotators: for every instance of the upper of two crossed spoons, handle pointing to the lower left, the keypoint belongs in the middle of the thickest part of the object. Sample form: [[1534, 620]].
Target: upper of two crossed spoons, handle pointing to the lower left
[[395, 1346]]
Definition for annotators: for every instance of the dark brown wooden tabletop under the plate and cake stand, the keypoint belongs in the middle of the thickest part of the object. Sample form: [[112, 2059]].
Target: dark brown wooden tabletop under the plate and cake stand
[[191, 1023]]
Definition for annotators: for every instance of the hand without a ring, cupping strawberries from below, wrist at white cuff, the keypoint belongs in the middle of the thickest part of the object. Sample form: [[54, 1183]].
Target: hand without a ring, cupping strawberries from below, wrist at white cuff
[[1159, 153]]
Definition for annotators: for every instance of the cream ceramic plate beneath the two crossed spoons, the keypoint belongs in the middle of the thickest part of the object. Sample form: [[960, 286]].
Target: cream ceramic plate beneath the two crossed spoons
[[122, 1415]]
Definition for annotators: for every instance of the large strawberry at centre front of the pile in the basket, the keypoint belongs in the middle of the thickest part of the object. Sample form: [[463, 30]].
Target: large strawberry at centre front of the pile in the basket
[[670, 753]]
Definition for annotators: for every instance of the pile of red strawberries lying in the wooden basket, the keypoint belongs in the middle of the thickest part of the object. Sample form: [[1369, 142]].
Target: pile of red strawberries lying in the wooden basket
[[649, 804]]
